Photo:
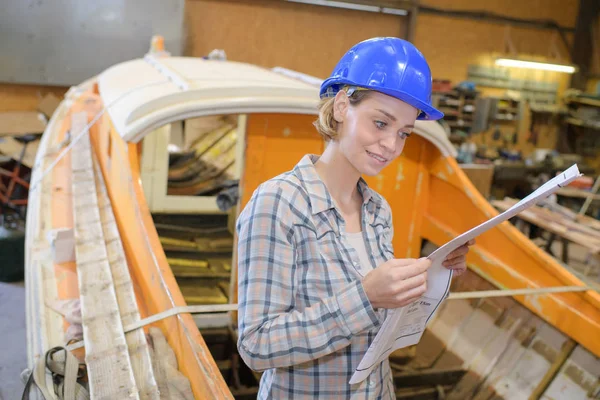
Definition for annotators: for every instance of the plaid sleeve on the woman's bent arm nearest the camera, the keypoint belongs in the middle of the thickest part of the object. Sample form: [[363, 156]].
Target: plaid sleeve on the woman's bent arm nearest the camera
[[272, 332]]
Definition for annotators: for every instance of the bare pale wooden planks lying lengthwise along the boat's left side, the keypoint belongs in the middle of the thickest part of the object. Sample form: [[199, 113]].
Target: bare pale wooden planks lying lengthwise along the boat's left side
[[119, 365]]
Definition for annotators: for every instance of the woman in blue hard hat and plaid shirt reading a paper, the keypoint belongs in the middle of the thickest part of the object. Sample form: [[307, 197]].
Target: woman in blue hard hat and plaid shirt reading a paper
[[316, 266]]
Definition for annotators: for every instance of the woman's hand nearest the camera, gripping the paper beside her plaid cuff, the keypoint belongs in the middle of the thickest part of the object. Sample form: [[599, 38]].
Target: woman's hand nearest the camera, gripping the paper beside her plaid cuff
[[397, 282]]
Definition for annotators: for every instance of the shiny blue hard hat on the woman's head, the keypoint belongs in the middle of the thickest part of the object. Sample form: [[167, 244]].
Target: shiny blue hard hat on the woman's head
[[388, 65]]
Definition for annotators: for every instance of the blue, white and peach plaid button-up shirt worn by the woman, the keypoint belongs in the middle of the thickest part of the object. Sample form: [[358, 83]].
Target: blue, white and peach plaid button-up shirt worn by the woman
[[304, 317]]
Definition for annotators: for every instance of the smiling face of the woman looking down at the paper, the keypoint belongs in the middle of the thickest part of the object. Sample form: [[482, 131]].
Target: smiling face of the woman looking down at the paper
[[372, 133]]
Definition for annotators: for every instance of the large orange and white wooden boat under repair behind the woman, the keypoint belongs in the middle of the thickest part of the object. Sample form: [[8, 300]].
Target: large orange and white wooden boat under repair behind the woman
[[431, 198]]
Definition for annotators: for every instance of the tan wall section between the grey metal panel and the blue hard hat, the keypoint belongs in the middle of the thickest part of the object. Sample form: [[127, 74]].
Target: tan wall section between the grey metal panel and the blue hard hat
[[302, 37]]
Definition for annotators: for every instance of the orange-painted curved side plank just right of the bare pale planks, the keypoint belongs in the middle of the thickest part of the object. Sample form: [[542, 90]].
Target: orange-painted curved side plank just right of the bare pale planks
[[151, 273]]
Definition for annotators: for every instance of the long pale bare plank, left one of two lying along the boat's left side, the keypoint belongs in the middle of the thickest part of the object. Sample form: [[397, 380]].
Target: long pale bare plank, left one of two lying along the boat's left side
[[108, 363]]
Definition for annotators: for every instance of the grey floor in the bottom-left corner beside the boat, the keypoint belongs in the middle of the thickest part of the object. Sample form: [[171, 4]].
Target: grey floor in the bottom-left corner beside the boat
[[13, 339]]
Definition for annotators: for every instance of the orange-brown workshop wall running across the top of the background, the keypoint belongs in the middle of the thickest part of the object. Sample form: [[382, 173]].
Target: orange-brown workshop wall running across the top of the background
[[311, 38]]
